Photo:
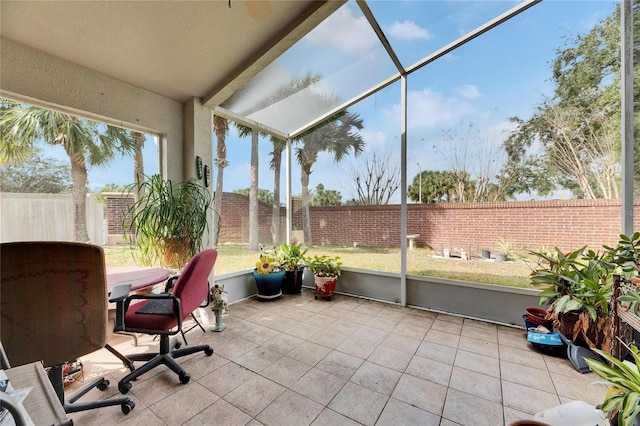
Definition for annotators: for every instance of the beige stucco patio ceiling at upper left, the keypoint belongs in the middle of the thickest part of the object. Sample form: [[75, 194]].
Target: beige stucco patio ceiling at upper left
[[178, 49]]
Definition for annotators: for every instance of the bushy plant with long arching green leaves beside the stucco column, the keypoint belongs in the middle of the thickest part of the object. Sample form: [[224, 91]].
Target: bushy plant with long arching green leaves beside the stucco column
[[167, 221]]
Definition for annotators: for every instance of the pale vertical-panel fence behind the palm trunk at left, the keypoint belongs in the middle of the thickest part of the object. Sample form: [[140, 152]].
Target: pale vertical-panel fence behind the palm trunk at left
[[46, 217]]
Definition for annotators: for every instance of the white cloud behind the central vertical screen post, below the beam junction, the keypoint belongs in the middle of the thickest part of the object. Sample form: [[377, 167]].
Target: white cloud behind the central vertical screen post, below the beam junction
[[430, 109]]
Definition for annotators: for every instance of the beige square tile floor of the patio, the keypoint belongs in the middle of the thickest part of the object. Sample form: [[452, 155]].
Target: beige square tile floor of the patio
[[300, 361]]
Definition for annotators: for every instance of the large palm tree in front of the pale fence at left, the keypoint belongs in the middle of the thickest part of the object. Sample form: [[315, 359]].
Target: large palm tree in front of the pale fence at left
[[86, 143]]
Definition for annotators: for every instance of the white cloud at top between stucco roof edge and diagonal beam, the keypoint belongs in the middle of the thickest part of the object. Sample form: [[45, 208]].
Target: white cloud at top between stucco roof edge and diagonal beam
[[345, 32]]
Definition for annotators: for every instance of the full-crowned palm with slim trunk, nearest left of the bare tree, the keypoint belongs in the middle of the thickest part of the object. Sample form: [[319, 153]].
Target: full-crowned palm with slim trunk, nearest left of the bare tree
[[339, 137]]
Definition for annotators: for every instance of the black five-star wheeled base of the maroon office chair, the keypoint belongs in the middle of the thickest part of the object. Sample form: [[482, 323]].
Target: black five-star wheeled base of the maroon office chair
[[164, 357]]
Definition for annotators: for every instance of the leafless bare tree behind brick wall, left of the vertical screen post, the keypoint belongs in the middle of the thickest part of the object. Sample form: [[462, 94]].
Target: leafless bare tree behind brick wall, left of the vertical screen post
[[375, 178]]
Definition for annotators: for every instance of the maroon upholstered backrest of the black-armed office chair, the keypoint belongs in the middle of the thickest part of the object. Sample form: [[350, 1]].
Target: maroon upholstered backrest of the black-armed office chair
[[192, 285]]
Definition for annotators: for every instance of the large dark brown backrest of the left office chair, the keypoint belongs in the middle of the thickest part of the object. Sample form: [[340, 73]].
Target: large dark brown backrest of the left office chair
[[53, 301]]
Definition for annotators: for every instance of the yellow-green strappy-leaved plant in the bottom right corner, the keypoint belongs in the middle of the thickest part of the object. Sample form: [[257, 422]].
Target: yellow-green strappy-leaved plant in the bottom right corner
[[622, 401]]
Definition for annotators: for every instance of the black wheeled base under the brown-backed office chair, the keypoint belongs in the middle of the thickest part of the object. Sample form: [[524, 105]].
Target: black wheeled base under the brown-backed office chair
[[72, 406]]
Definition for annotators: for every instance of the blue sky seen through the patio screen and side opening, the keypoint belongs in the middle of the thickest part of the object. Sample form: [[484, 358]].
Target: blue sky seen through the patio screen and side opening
[[501, 74]]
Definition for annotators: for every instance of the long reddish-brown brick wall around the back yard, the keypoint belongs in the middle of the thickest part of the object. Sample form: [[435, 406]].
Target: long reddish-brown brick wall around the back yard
[[567, 224]]
